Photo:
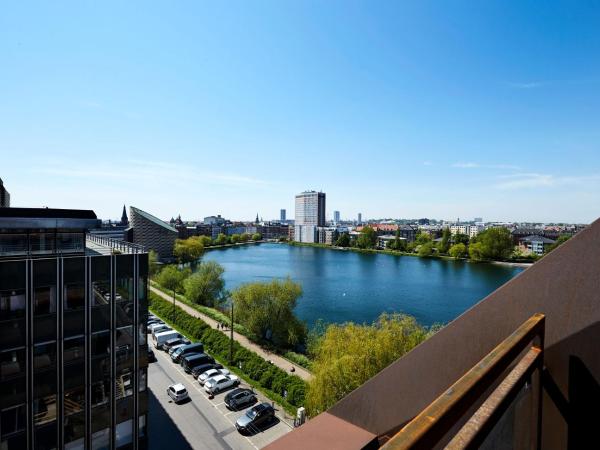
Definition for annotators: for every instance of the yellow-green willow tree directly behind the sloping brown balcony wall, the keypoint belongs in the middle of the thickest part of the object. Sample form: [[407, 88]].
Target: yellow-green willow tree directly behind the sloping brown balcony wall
[[347, 355]]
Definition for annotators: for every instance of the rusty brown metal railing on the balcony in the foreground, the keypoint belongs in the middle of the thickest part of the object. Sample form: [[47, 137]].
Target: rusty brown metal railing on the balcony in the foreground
[[432, 425]]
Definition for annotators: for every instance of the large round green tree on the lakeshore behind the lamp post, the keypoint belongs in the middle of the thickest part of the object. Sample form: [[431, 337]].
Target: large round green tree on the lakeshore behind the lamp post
[[267, 310]]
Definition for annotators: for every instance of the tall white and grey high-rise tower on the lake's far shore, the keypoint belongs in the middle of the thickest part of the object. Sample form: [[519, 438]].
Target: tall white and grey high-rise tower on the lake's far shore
[[309, 214]]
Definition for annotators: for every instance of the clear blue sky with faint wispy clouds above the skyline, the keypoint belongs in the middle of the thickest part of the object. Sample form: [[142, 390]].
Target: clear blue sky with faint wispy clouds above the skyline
[[394, 109]]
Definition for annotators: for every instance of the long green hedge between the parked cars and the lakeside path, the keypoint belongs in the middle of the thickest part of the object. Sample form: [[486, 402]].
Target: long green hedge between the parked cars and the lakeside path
[[265, 374]]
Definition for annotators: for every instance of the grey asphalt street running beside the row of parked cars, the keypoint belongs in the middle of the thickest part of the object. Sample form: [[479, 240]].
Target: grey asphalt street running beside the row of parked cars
[[200, 423]]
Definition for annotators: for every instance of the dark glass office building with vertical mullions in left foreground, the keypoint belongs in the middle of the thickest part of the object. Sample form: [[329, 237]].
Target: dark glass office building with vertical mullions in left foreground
[[73, 350]]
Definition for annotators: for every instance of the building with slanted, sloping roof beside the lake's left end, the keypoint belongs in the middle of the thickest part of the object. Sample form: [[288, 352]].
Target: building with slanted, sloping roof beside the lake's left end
[[152, 233]]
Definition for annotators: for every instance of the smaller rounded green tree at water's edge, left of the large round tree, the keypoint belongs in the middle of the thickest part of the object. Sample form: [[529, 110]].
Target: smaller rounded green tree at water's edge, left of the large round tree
[[206, 285]]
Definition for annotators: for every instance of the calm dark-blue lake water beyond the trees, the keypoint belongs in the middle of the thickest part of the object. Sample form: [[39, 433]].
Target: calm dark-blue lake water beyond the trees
[[347, 286]]
